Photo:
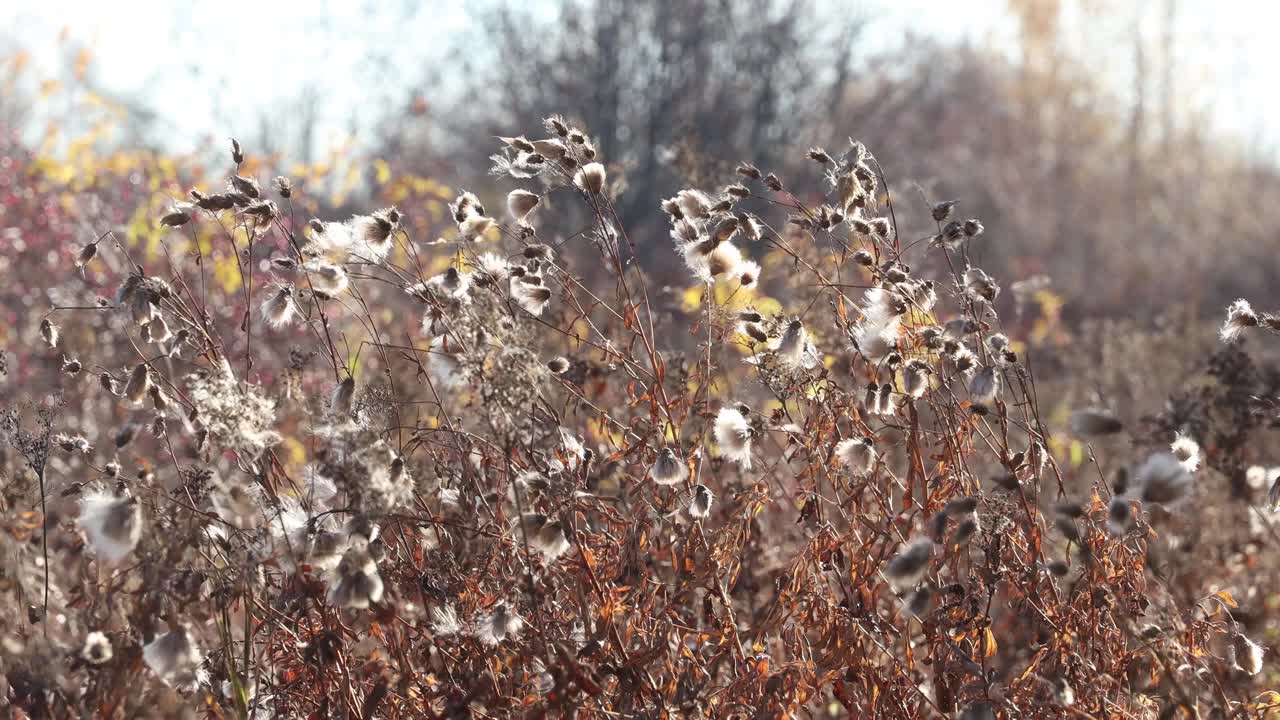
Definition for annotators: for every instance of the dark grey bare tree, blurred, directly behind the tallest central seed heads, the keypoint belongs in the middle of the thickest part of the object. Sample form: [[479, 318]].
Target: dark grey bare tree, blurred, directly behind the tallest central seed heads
[[662, 85]]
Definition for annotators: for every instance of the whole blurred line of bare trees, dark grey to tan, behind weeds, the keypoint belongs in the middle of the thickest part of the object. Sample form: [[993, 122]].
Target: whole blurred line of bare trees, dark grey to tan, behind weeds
[[1073, 170]]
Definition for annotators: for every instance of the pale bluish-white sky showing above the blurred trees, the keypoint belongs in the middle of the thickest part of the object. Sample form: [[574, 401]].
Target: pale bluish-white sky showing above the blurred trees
[[208, 69]]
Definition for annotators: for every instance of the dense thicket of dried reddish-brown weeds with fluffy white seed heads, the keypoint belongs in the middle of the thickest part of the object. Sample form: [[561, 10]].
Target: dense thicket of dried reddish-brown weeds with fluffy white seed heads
[[316, 468]]
